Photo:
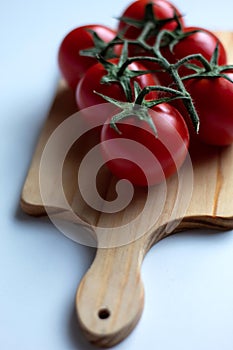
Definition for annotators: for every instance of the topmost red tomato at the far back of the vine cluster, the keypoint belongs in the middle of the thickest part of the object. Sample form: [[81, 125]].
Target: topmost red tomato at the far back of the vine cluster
[[162, 9]]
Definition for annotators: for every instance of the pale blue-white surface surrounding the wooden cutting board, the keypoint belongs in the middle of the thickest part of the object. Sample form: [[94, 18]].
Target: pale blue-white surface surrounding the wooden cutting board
[[188, 277]]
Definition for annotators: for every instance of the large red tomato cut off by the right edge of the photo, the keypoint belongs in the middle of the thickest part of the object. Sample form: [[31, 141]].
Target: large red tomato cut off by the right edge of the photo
[[212, 97]]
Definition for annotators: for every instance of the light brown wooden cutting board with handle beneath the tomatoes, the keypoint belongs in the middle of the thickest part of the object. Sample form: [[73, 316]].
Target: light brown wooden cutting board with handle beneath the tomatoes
[[109, 299]]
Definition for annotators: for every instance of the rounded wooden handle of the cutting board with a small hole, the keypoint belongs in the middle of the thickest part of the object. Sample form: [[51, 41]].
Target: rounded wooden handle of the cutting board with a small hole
[[110, 297]]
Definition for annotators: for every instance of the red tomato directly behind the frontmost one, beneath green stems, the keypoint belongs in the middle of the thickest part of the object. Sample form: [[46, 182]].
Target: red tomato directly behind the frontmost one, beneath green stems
[[91, 81]]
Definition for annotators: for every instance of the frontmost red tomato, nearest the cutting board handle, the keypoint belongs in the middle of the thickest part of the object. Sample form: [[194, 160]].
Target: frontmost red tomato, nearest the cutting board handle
[[126, 160]]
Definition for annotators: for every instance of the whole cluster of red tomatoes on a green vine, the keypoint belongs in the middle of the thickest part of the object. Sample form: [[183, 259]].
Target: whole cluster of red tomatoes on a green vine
[[169, 82]]
